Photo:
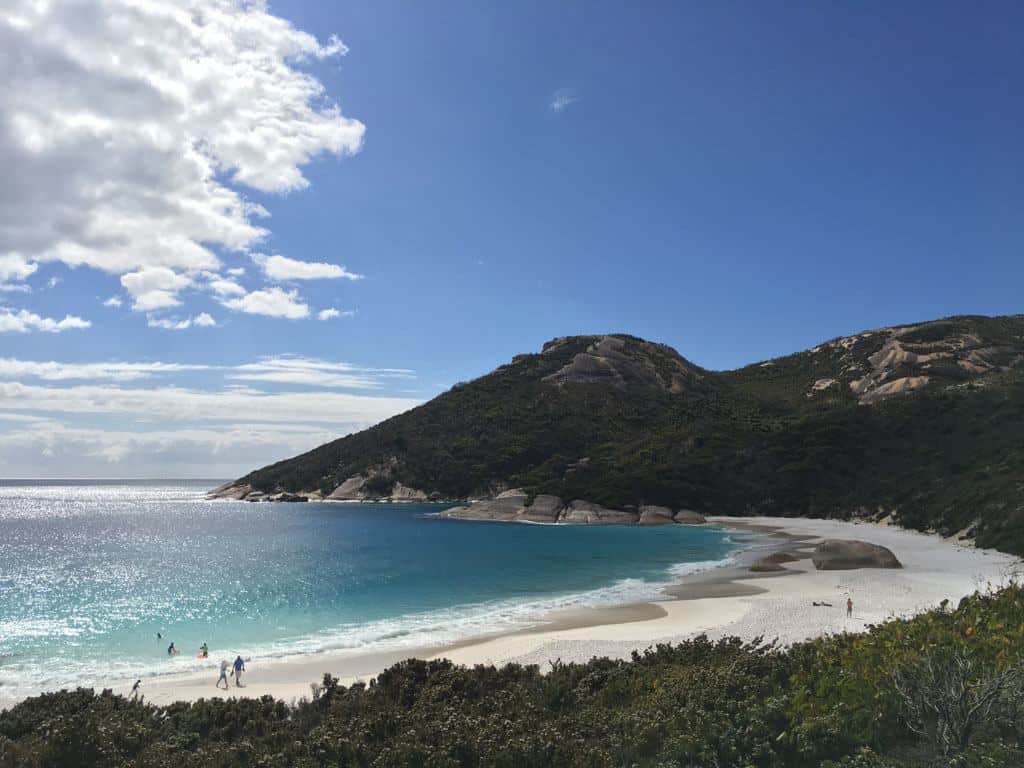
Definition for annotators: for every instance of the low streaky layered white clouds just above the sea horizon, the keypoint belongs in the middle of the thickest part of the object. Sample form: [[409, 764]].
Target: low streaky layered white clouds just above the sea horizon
[[136, 419]]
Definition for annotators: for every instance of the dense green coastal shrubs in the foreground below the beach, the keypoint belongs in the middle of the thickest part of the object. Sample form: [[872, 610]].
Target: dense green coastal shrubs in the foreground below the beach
[[941, 690]]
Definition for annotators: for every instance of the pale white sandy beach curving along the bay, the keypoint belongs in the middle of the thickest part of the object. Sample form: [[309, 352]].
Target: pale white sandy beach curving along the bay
[[730, 601]]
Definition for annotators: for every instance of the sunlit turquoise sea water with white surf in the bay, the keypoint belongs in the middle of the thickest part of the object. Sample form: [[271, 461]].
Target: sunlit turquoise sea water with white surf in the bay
[[92, 572]]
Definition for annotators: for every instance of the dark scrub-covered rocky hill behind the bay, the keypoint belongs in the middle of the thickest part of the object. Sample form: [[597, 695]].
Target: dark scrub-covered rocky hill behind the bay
[[925, 422]]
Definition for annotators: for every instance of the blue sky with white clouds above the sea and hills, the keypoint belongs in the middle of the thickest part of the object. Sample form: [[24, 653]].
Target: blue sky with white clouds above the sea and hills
[[233, 231]]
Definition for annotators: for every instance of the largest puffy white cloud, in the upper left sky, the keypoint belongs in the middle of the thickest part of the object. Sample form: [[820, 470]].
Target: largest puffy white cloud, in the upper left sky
[[132, 124]]
